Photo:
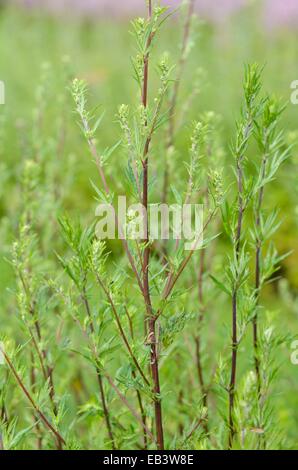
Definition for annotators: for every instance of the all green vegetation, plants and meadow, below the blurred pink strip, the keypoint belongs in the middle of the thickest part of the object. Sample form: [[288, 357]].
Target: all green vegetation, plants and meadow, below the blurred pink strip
[[139, 344]]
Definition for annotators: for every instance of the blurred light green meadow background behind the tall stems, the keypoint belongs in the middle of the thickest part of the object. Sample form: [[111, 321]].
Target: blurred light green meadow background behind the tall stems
[[92, 42]]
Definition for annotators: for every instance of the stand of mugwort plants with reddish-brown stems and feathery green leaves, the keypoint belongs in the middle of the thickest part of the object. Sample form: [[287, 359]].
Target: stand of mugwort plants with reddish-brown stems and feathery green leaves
[[114, 314]]
